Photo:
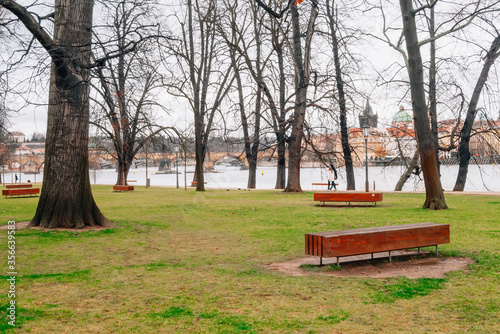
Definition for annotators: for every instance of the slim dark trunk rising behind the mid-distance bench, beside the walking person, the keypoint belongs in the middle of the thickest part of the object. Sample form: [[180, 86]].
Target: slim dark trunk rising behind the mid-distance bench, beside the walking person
[[342, 103]]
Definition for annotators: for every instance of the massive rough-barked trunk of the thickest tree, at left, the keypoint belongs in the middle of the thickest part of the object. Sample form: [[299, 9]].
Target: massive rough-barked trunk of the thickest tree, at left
[[66, 198]]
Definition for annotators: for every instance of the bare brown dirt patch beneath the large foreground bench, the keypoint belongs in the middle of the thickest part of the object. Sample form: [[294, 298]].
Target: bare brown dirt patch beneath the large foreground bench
[[408, 264]]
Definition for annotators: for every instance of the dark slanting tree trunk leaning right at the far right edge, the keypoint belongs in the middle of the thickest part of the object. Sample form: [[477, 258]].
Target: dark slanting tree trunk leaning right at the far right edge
[[463, 148]]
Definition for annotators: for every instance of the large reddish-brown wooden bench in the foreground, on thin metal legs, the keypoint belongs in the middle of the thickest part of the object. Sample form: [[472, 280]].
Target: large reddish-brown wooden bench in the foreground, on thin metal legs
[[376, 239]]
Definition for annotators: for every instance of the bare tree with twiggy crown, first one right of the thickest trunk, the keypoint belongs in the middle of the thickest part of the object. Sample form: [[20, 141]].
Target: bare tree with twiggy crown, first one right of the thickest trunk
[[128, 85]]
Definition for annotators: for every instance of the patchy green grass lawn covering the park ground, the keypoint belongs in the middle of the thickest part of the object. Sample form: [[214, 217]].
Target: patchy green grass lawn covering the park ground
[[187, 262]]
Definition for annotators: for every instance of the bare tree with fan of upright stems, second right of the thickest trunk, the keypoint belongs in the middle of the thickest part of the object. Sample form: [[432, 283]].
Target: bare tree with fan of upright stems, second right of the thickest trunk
[[202, 73]]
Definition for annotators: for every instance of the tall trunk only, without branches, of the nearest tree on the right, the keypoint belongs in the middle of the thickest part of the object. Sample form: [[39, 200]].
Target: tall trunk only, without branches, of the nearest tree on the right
[[434, 192]]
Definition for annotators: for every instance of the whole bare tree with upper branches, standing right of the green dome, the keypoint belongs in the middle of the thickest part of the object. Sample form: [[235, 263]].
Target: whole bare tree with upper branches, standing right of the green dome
[[458, 17]]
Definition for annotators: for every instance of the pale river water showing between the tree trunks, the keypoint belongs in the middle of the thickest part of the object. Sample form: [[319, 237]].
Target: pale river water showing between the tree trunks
[[480, 178]]
